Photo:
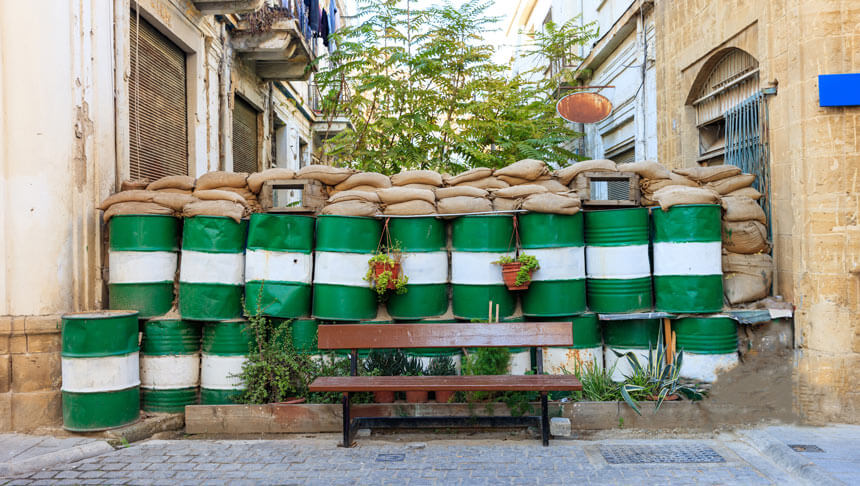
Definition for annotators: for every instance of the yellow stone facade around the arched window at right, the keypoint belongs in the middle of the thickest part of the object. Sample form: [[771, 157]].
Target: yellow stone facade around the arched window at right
[[814, 163]]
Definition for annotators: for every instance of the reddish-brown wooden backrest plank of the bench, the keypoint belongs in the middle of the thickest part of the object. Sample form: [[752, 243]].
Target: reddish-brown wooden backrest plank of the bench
[[445, 335]]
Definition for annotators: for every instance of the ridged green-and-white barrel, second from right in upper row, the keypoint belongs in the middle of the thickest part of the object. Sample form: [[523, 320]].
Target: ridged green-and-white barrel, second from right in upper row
[[617, 265]]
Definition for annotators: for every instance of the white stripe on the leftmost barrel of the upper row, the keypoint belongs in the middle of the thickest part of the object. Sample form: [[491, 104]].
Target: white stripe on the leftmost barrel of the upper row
[[142, 266]]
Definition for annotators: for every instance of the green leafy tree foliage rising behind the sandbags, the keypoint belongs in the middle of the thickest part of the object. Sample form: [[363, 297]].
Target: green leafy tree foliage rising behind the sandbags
[[426, 93]]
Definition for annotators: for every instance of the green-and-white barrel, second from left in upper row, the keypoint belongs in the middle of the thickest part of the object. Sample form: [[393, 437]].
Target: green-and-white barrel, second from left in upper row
[[211, 274]]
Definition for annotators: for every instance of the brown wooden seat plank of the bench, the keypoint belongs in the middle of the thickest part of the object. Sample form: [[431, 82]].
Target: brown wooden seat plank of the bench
[[446, 383]]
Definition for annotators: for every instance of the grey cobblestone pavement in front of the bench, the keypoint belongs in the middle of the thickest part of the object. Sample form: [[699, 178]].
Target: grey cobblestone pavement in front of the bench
[[319, 461]]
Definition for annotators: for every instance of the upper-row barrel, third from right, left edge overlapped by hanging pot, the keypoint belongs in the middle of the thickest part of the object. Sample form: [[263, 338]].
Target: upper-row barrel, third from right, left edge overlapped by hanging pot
[[558, 286]]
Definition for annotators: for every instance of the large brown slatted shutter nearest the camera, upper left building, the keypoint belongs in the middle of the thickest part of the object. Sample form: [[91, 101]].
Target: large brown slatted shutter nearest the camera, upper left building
[[157, 105]]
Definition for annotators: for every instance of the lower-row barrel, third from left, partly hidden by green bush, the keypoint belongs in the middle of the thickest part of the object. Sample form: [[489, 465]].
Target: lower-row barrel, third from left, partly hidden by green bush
[[225, 349]]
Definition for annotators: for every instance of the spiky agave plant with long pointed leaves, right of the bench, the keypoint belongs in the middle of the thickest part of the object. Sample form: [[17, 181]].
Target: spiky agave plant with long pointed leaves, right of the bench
[[659, 375]]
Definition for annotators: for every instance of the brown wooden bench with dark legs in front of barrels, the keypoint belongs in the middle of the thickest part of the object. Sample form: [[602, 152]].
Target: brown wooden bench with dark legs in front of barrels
[[456, 335]]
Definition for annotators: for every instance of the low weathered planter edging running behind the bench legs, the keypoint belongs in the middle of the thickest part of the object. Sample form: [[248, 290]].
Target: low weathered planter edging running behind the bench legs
[[584, 416]]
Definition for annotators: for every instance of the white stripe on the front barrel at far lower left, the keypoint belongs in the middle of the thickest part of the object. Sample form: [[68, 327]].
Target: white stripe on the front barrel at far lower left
[[96, 375]]
